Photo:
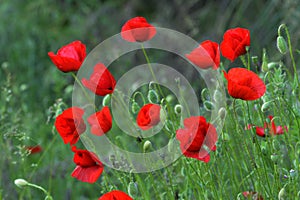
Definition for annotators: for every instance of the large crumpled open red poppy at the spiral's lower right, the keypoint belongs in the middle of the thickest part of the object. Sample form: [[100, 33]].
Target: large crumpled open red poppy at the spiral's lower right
[[195, 134]]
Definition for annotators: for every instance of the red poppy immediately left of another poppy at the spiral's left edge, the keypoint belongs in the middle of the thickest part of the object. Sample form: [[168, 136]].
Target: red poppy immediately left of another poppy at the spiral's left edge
[[70, 124]]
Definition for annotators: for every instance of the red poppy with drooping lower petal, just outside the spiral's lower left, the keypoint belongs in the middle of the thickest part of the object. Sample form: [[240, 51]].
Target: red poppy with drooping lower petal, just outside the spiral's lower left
[[88, 166]]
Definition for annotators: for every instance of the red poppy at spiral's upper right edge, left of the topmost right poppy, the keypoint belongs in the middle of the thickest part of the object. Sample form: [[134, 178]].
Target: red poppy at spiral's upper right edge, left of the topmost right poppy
[[206, 55]]
